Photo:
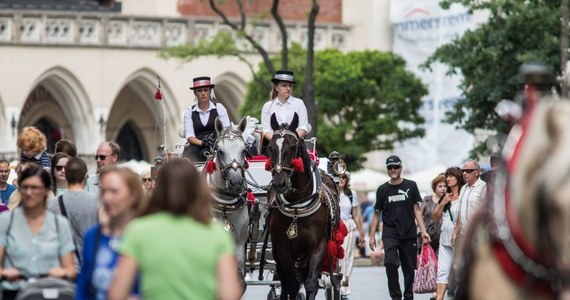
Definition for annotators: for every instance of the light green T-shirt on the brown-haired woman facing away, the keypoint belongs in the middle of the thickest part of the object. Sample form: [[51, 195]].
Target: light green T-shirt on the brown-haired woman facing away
[[176, 255]]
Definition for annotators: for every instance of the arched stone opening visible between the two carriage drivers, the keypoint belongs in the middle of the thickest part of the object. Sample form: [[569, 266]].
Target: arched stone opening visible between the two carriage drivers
[[230, 91]]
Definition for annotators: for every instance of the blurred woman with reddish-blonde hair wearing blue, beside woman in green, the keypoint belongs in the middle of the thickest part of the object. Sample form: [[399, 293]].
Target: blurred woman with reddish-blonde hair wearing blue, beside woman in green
[[121, 194]]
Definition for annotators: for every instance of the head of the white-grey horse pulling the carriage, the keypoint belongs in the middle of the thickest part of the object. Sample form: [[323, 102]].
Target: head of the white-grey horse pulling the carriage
[[230, 156]]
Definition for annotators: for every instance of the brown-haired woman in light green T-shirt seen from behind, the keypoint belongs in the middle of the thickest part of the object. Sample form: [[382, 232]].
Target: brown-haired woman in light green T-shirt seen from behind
[[176, 246]]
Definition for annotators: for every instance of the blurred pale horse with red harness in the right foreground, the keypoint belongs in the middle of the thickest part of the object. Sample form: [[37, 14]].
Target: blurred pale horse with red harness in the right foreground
[[519, 244]]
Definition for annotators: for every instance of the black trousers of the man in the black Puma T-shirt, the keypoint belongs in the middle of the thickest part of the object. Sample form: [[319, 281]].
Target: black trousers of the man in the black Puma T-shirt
[[404, 252]]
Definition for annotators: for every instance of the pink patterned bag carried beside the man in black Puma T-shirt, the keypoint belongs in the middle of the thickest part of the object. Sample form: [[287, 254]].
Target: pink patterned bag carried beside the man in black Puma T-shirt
[[426, 271]]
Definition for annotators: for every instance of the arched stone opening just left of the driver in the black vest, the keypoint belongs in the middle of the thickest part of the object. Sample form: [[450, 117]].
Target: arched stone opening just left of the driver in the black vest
[[135, 107]]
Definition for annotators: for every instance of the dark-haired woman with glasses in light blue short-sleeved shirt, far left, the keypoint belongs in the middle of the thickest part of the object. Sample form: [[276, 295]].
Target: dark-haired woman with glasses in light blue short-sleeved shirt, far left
[[34, 242]]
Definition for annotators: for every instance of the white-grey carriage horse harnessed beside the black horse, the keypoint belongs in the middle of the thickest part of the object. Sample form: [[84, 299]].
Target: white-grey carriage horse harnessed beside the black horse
[[225, 174]]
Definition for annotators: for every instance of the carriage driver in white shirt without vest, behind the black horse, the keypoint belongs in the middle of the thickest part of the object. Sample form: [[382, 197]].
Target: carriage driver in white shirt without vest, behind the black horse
[[284, 105]]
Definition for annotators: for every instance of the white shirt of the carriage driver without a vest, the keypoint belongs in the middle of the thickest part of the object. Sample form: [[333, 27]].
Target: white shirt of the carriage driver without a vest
[[284, 113]]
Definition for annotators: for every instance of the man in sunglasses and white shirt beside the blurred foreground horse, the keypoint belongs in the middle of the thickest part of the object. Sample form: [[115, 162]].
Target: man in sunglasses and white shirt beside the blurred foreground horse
[[470, 196]]
